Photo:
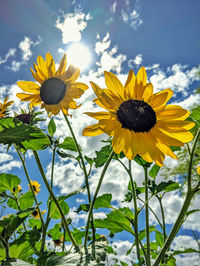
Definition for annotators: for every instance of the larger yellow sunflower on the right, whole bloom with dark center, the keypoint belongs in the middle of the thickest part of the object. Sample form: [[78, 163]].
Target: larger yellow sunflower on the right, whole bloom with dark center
[[139, 121]]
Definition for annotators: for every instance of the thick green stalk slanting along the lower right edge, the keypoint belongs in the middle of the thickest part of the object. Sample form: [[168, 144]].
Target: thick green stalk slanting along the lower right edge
[[189, 195]]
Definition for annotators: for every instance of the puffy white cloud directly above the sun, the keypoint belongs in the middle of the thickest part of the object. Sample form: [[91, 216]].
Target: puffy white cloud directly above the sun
[[72, 26]]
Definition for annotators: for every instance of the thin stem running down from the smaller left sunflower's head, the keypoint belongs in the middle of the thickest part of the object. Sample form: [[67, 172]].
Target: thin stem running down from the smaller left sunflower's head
[[84, 170]]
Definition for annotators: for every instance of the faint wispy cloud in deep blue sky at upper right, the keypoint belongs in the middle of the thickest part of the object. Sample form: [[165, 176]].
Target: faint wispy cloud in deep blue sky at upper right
[[132, 18]]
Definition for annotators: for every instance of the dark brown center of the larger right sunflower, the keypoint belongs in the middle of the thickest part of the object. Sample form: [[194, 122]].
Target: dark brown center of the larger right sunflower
[[136, 115]]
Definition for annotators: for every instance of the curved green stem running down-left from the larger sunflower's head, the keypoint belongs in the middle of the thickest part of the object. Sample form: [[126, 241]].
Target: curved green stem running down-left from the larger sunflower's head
[[95, 195]]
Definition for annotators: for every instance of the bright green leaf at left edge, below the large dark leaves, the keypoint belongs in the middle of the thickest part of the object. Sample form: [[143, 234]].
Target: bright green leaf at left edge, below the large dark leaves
[[8, 182]]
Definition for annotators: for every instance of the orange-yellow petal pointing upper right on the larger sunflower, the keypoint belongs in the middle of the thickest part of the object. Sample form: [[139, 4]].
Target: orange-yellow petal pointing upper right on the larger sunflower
[[161, 98]]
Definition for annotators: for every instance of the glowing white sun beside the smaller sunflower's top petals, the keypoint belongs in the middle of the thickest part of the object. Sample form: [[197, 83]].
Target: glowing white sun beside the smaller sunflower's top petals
[[79, 56]]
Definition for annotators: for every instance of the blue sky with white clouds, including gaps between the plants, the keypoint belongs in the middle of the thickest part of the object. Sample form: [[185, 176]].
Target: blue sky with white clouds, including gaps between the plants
[[161, 35]]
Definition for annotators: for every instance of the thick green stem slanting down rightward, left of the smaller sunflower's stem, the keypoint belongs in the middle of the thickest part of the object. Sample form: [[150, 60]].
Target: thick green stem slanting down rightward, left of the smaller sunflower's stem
[[55, 199]]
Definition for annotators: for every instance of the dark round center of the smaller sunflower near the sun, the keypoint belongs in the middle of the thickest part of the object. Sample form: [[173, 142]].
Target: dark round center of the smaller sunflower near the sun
[[52, 91]]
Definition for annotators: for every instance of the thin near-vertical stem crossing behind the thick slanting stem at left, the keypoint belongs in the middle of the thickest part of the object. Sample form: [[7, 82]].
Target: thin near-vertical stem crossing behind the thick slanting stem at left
[[48, 219]]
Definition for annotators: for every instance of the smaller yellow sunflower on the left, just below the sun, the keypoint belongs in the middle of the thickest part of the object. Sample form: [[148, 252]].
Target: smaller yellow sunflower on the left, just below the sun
[[54, 90]]
